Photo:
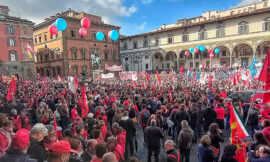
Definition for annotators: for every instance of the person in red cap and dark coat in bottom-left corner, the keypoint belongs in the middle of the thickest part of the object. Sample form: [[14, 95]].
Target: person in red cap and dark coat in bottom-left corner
[[18, 148]]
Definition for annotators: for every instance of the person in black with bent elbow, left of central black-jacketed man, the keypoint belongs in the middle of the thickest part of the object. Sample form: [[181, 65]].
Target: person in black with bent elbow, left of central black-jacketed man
[[127, 124]]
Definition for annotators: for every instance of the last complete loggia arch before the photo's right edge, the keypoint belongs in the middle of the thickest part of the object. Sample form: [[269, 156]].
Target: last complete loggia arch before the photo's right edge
[[242, 54]]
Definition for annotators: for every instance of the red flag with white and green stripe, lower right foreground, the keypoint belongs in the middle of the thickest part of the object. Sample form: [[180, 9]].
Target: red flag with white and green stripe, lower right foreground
[[238, 132]]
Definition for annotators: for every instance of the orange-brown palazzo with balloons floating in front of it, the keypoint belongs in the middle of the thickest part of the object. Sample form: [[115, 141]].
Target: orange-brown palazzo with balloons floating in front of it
[[67, 53]]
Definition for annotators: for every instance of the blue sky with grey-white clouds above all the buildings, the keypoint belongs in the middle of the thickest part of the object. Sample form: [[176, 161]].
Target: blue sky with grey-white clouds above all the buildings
[[134, 16]]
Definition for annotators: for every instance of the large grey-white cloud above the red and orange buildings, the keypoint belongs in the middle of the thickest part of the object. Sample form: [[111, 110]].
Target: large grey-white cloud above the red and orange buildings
[[38, 10]]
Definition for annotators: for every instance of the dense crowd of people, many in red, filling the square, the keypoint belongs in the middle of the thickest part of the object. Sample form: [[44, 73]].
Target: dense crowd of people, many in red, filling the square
[[44, 123]]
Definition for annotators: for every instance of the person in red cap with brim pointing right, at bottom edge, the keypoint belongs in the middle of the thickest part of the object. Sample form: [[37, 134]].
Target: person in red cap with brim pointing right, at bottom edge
[[60, 152]]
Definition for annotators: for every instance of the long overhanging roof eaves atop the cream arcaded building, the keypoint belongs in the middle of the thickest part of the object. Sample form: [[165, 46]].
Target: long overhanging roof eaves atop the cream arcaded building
[[200, 23]]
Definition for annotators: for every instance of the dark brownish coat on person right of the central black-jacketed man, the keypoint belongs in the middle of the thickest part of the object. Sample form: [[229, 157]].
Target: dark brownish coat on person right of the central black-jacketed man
[[185, 138]]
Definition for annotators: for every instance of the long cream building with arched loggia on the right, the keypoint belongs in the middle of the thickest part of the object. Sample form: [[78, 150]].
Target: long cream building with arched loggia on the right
[[240, 33]]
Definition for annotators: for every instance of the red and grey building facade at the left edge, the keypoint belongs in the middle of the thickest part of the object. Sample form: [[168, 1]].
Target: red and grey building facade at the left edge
[[15, 34]]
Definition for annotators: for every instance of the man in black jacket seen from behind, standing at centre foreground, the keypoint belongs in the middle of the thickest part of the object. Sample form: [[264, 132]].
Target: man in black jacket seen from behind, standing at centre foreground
[[153, 134]]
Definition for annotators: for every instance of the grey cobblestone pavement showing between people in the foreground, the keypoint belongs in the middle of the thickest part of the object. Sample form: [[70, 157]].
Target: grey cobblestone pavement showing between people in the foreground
[[142, 149]]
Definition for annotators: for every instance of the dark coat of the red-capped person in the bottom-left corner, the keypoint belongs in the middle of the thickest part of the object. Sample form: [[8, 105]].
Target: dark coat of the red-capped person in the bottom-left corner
[[16, 156]]
